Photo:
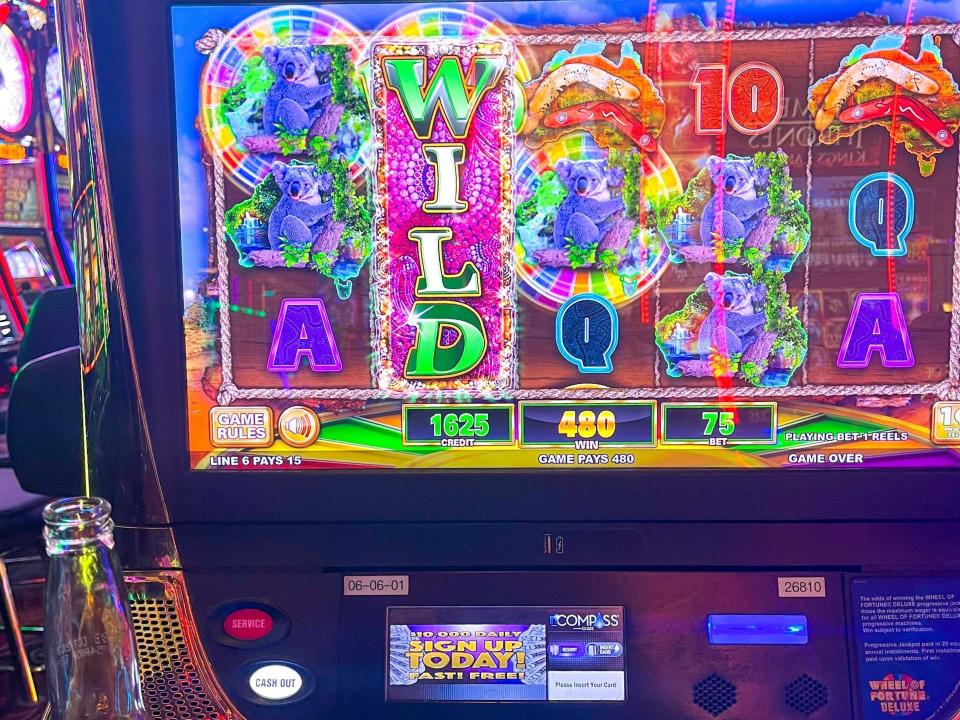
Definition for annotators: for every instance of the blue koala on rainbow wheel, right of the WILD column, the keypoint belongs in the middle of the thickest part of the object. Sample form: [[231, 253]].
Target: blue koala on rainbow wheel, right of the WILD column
[[589, 210]]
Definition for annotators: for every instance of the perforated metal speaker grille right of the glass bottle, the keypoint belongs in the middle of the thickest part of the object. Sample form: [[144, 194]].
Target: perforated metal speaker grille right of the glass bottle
[[174, 685]]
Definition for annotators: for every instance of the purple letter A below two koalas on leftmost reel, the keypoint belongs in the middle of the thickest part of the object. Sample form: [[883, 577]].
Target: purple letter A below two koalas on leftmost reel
[[303, 331]]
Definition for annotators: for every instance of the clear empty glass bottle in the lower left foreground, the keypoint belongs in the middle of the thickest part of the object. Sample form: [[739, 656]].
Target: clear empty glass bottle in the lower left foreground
[[91, 655]]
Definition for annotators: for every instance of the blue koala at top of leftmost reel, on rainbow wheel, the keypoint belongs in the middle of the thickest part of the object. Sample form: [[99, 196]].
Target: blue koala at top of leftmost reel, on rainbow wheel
[[298, 96]]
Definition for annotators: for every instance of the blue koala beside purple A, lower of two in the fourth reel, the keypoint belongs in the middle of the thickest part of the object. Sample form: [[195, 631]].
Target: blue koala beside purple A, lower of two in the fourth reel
[[733, 324]]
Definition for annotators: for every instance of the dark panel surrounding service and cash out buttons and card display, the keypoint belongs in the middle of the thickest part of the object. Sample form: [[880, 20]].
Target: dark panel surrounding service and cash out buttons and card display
[[342, 641]]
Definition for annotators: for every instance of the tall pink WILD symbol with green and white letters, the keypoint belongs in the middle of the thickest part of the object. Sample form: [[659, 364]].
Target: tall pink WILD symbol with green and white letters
[[443, 262]]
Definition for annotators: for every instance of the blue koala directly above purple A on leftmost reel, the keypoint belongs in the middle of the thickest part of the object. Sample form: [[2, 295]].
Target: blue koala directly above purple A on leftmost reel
[[301, 214]]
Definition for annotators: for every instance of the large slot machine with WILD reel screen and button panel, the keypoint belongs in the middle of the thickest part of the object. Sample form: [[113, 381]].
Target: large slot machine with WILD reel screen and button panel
[[506, 359]]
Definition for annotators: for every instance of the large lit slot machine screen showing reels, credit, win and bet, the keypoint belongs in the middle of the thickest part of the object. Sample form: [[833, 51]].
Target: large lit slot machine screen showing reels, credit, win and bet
[[555, 236]]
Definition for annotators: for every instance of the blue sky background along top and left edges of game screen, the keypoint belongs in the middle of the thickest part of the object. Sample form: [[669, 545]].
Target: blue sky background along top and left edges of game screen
[[190, 22]]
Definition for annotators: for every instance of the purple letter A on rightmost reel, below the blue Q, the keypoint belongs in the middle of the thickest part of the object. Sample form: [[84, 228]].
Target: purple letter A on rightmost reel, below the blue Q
[[876, 324]]
